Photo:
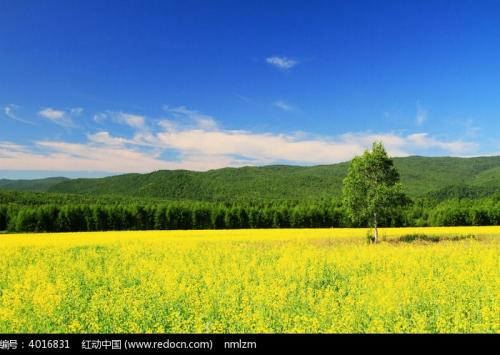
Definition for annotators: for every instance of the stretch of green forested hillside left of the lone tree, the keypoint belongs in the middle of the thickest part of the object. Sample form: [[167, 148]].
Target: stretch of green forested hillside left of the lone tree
[[248, 183]]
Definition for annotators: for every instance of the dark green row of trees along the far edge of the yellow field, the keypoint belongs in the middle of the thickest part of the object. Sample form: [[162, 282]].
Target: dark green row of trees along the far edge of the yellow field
[[73, 217]]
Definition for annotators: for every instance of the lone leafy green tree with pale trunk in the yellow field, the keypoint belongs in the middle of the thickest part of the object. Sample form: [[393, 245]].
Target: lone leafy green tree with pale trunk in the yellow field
[[372, 192]]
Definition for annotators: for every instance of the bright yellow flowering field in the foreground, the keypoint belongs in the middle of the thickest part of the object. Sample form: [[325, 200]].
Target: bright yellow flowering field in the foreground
[[306, 280]]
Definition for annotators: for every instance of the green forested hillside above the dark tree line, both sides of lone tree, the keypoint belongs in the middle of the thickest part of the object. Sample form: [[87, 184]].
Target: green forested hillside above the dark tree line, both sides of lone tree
[[420, 176]]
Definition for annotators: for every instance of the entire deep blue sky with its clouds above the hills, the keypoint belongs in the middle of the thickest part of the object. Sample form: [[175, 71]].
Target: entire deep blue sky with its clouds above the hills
[[89, 88]]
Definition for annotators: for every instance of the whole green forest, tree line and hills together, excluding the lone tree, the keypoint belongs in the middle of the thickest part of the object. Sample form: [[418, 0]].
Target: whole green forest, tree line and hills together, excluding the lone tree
[[443, 191]]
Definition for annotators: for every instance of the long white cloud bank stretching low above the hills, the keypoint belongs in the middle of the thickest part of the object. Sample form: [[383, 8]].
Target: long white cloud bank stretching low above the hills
[[200, 144]]
